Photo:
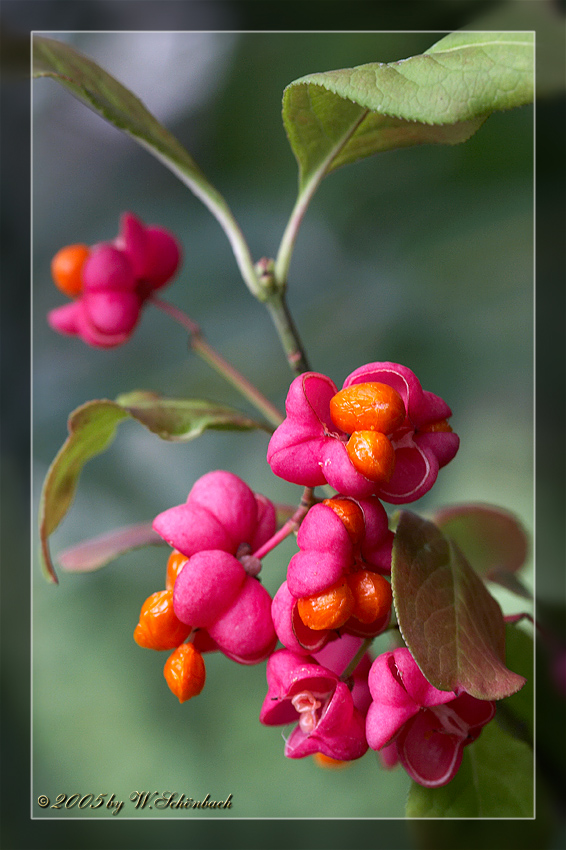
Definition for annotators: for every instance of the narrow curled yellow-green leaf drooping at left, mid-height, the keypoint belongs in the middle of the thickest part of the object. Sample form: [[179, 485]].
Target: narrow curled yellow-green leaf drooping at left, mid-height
[[92, 428]]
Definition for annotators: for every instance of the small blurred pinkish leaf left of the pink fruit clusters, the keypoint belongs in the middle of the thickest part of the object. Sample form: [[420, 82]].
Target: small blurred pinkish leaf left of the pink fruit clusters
[[98, 551]]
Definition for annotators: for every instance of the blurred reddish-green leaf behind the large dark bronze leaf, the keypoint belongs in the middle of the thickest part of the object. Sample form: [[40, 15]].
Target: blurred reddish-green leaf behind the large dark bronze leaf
[[492, 539]]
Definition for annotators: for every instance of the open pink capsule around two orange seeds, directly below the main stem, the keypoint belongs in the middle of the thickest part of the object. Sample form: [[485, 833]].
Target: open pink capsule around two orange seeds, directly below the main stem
[[309, 448]]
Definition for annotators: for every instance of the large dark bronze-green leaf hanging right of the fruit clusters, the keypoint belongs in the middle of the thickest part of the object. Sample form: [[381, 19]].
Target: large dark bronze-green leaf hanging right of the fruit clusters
[[450, 622]]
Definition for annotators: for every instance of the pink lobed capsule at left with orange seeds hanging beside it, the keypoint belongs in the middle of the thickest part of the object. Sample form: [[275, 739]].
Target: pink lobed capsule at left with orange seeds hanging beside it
[[219, 526]]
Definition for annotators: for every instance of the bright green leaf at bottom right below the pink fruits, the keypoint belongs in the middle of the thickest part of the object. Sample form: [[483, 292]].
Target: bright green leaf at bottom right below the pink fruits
[[495, 780]]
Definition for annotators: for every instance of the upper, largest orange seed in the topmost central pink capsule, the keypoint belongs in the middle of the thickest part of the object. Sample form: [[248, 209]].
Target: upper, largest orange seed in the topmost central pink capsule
[[367, 407]]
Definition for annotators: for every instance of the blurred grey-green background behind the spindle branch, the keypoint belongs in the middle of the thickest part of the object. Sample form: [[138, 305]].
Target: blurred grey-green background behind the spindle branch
[[424, 256]]
